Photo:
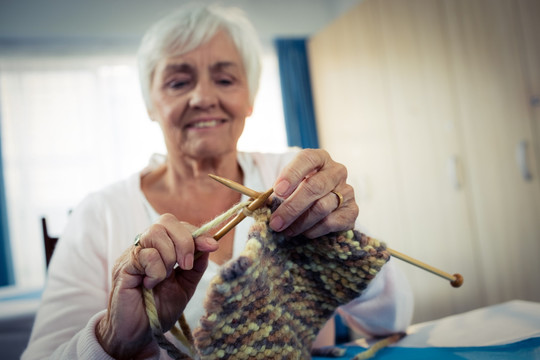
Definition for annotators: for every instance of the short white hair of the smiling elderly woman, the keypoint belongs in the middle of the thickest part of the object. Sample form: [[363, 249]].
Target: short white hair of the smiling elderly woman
[[190, 27]]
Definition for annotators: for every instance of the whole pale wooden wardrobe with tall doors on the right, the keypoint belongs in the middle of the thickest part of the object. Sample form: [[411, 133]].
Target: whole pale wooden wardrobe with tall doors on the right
[[434, 106]]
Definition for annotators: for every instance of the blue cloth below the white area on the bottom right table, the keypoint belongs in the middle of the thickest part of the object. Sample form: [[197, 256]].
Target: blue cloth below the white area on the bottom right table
[[528, 349]]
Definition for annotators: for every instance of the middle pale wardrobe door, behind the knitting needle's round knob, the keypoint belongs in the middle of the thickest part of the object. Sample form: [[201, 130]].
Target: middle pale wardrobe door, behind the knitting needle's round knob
[[429, 156]]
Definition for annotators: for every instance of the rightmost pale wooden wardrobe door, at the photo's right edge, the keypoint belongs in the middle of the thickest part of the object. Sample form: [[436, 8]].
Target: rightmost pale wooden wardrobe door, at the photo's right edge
[[491, 84]]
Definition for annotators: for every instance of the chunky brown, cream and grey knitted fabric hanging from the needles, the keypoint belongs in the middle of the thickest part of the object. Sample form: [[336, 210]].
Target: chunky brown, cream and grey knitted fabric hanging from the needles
[[274, 298]]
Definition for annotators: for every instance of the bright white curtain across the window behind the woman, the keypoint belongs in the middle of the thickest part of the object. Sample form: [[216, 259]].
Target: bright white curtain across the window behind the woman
[[73, 125]]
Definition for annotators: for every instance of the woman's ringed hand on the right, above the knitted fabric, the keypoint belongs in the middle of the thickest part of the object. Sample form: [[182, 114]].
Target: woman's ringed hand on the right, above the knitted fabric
[[310, 207]]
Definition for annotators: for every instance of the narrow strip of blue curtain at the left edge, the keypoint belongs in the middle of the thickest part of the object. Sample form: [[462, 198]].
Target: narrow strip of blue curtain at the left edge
[[7, 276]]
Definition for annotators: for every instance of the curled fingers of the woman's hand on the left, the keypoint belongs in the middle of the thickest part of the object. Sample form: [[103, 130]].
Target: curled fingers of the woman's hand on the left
[[166, 243]]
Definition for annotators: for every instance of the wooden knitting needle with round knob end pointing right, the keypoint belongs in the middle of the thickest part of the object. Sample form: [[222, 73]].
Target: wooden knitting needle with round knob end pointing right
[[456, 280]]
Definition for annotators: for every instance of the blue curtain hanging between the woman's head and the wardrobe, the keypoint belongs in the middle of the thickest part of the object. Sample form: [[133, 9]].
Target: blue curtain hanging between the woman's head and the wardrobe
[[296, 92]]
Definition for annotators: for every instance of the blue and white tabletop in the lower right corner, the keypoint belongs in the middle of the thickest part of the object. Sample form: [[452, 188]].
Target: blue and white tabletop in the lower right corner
[[509, 330]]
